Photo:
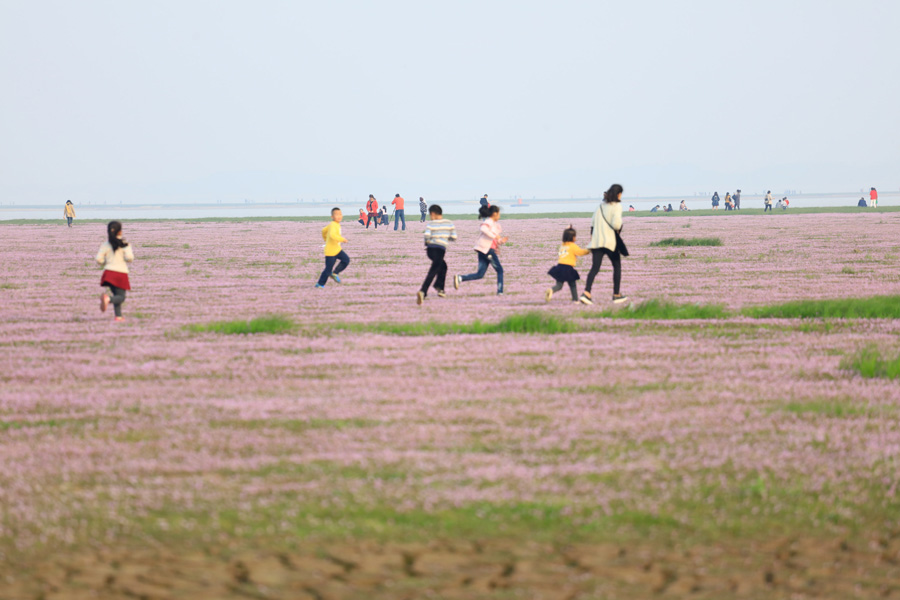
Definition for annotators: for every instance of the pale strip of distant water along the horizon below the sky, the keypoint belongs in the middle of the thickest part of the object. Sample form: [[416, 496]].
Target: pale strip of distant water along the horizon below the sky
[[308, 209]]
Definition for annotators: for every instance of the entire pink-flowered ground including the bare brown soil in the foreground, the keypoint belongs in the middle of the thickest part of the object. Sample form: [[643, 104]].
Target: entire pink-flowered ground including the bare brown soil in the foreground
[[352, 430]]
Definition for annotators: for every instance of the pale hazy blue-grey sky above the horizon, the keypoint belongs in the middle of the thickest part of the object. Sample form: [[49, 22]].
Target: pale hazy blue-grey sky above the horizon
[[205, 101]]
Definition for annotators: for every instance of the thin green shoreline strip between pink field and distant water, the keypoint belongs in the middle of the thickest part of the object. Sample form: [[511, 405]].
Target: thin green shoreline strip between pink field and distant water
[[507, 215]]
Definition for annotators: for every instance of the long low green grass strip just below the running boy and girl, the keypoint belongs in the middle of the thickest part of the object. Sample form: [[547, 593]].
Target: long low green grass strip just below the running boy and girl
[[534, 322]]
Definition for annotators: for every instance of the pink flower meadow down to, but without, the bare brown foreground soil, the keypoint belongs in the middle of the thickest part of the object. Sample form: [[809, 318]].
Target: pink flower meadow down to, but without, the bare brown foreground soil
[[111, 421]]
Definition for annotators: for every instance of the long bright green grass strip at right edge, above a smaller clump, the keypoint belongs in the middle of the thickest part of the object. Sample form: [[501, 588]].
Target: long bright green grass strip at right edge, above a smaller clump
[[875, 307]]
